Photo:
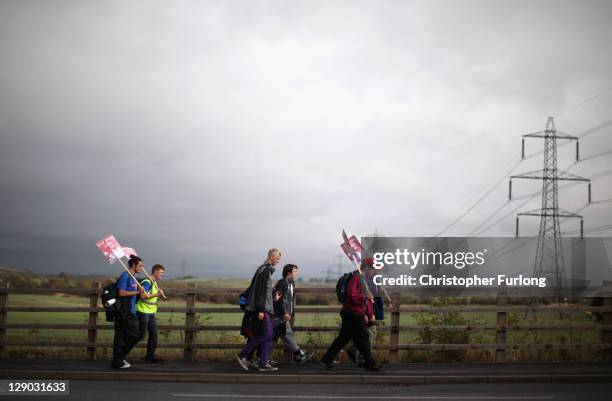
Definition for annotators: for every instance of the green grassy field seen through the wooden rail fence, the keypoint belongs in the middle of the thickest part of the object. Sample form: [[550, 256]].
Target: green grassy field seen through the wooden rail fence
[[302, 319]]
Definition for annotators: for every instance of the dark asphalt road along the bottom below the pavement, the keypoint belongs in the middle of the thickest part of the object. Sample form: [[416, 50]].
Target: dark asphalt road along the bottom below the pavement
[[155, 391]]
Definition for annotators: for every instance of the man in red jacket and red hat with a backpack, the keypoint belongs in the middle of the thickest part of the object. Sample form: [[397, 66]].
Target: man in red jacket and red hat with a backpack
[[356, 313]]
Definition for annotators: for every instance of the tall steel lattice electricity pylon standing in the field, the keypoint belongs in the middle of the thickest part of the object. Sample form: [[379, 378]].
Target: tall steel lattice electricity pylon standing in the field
[[549, 255]]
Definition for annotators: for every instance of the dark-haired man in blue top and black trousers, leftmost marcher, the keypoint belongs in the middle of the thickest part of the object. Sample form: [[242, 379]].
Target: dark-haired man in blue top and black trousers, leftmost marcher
[[127, 333]]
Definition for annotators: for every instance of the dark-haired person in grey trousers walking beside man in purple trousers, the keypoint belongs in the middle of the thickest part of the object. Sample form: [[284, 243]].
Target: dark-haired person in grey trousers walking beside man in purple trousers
[[284, 308]]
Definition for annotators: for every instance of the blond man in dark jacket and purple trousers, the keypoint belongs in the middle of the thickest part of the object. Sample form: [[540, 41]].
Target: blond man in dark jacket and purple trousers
[[257, 321]]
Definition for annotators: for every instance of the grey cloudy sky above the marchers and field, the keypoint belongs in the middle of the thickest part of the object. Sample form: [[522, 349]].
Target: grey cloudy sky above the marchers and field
[[208, 132]]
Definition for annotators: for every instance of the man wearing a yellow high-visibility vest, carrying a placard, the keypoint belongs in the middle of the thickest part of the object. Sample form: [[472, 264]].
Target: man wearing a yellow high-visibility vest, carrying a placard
[[146, 308]]
